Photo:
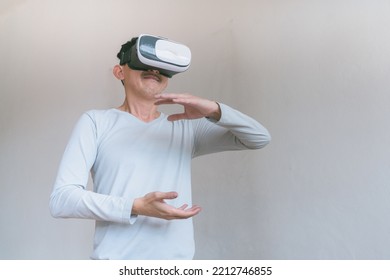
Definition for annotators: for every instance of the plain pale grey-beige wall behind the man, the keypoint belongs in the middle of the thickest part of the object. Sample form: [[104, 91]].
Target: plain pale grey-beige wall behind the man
[[316, 73]]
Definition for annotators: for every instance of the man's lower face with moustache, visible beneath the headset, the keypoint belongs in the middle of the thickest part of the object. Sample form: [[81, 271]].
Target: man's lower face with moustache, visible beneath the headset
[[146, 83]]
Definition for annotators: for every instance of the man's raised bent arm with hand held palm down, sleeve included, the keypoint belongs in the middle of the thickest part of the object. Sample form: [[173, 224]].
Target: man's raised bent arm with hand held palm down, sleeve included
[[227, 129]]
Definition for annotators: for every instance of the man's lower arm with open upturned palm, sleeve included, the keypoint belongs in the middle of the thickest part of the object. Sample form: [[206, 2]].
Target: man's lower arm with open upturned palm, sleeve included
[[71, 199]]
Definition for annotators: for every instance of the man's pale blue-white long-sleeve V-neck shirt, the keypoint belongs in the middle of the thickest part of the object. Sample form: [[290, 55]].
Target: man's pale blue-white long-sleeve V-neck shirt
[[129, 158]]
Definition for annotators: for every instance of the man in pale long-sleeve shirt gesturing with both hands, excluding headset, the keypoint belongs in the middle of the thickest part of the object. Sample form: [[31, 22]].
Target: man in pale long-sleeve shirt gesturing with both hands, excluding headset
[[140, 161]]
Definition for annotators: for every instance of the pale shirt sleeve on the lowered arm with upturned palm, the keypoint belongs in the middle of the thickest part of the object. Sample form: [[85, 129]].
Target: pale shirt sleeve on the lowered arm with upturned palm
[[70, 198]]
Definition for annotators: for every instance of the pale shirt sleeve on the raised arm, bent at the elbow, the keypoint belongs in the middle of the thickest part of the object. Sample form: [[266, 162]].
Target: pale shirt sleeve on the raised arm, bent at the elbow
[[234, 131]]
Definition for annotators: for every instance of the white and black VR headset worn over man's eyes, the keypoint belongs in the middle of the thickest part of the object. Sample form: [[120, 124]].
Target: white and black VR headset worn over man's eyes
[[148, 52]]
